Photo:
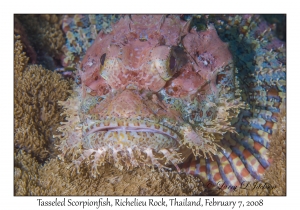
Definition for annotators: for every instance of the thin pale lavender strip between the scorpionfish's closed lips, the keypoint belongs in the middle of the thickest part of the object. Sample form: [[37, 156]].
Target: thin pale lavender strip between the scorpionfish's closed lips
[[140, 128]]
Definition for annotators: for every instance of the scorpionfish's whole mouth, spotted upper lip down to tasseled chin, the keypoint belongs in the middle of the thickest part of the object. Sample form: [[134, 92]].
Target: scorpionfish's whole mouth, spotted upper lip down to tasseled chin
[[132, 143]]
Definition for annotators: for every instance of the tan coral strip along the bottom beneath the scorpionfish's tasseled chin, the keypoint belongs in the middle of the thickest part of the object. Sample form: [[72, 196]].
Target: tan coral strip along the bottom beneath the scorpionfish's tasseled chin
[[56, 178]]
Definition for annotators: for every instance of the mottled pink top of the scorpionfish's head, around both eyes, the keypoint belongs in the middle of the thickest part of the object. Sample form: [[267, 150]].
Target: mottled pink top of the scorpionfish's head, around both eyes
[[132, 51]]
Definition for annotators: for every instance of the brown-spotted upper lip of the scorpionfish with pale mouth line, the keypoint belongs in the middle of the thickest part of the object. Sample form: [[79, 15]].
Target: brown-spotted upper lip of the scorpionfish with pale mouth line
[[129, 125]]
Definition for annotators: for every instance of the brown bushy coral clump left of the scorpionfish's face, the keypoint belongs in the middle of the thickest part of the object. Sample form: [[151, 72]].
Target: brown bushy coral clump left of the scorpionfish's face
[[36, 112]]
